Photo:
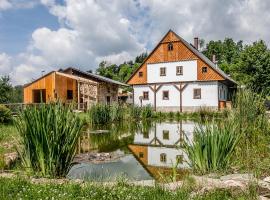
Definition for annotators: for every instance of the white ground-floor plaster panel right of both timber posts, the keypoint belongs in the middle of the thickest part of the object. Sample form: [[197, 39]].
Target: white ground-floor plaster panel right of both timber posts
[[209, 94]]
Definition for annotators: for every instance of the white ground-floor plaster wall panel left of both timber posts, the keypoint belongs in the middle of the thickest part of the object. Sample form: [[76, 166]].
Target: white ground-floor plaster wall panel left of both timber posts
[[138, 91]]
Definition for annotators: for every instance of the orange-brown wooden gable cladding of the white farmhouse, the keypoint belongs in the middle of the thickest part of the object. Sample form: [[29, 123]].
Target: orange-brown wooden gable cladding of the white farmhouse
[[179, 52]]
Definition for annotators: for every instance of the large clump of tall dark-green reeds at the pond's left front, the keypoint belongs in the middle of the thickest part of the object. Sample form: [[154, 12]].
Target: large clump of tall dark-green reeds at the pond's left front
[[49, 136]]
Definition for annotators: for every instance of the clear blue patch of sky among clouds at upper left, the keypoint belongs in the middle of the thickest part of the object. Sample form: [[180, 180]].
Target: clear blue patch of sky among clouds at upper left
[[17, 26]]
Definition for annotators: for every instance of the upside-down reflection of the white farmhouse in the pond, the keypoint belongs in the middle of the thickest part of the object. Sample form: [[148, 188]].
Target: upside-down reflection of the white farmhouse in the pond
[[160, 148]]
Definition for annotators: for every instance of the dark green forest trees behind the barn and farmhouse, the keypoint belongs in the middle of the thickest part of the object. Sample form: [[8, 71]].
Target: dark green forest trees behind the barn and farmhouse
[[248, 64]]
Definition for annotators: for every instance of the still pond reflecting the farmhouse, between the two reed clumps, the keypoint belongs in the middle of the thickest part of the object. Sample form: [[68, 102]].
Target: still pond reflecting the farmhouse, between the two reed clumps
[[143, 150]]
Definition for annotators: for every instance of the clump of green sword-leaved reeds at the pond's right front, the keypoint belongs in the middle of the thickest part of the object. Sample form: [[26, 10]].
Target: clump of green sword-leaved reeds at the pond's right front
[[212, 147]]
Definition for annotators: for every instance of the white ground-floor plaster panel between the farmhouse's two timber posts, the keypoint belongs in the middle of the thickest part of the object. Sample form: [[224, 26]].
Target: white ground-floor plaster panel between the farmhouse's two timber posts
[[174, 97]]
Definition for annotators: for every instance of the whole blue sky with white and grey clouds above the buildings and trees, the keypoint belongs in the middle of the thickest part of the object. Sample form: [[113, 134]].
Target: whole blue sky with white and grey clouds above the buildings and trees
[[37, 35]]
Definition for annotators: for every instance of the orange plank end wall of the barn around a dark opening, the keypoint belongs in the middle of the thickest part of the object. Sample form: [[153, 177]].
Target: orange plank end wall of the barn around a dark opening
[[43, 83]]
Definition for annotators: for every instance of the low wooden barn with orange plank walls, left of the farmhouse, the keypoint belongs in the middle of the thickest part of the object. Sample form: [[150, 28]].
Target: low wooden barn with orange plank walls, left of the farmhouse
[[72, 85]]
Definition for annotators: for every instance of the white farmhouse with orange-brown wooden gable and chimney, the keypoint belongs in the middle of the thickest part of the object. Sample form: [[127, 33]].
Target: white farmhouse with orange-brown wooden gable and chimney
[[177, 77]]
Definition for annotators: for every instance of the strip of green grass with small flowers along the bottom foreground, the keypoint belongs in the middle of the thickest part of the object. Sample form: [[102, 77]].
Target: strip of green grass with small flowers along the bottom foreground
[[23, 189]]
